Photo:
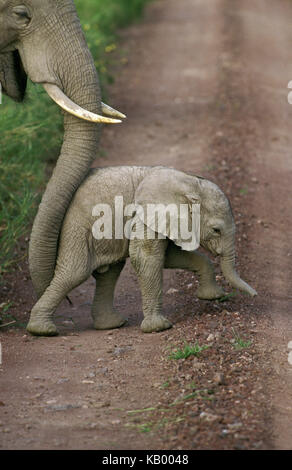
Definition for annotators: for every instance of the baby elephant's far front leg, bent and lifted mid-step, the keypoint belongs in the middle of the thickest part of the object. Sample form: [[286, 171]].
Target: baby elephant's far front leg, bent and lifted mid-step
[[198, 263]]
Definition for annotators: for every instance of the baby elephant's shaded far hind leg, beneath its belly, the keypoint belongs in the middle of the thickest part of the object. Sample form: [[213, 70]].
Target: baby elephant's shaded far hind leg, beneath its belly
[[102, 311]]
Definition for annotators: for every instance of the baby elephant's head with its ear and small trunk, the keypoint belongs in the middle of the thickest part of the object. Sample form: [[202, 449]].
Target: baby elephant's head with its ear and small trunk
[[217, 227]]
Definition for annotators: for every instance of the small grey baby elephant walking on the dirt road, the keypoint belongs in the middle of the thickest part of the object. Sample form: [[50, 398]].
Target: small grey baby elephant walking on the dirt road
[[81, 255]]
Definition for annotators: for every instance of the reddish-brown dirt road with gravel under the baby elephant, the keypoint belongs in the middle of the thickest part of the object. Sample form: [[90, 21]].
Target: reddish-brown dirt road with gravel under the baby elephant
[[205, 90]]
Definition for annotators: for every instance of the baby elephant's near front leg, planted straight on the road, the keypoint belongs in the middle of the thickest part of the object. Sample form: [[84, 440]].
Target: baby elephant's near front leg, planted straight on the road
[[147, 258]]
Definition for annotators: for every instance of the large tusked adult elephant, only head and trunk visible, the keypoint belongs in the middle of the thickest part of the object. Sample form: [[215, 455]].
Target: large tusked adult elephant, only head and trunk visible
[[43, 39]]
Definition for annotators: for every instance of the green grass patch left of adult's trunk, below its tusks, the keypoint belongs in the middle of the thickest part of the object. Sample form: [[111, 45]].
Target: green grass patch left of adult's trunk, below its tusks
[[30, 135]]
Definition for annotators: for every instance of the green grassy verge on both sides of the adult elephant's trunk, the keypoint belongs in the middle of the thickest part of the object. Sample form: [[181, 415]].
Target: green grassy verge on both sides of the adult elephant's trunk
[[31, 133]]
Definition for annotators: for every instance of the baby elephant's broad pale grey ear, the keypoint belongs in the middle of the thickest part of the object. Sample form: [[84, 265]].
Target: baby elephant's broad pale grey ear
[[168, 203]]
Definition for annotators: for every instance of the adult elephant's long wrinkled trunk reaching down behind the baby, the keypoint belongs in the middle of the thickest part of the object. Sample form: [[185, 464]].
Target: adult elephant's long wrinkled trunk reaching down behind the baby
[[77, 77]]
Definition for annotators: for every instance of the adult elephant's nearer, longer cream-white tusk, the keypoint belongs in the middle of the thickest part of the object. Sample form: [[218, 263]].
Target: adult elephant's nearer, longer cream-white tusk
[[68, 105]]
